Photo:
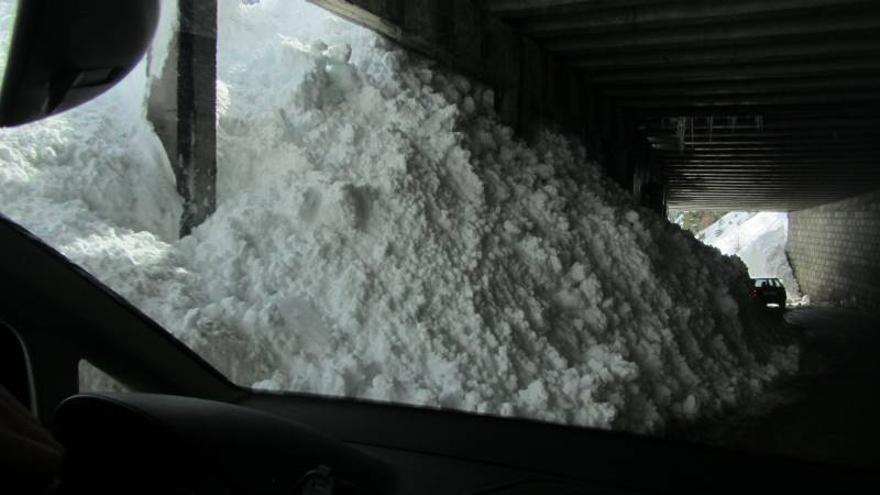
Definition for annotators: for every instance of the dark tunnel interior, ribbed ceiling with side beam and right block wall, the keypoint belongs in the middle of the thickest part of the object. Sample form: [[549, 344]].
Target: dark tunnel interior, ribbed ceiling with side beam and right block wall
[[691, 104]]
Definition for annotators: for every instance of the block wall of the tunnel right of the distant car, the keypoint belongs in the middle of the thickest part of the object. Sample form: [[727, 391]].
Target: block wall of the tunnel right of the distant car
[[834, 251]]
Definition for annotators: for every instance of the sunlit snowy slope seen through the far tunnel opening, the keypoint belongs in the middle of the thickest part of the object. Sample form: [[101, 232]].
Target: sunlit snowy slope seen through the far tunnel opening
[[759, 240]]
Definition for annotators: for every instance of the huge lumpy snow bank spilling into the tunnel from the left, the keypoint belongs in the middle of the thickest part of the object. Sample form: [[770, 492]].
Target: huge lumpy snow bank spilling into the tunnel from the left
[[379, 234]]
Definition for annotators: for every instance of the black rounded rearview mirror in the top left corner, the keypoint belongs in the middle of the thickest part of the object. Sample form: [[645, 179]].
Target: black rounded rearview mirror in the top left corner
[[65, 52]]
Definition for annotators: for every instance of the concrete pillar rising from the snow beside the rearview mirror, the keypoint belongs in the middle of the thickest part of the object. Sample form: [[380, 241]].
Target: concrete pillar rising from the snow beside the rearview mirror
[[182, 108]]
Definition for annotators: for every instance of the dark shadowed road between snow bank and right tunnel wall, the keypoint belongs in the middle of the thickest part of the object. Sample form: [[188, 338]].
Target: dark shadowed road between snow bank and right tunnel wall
[[830, 412]]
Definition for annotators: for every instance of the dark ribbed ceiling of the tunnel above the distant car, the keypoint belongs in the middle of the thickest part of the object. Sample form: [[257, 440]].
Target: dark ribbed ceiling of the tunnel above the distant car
[[751, 104]]
